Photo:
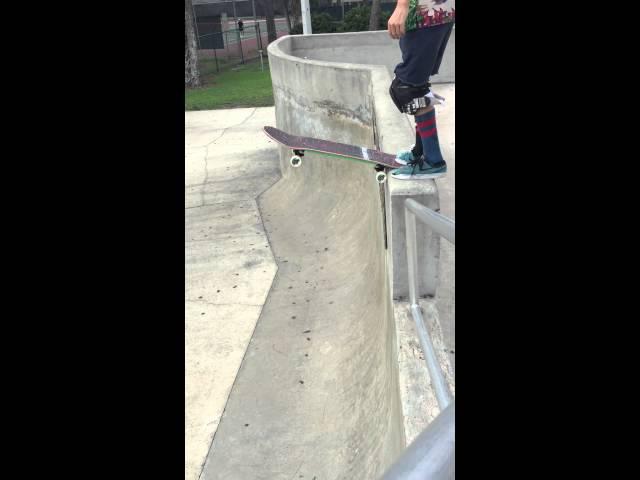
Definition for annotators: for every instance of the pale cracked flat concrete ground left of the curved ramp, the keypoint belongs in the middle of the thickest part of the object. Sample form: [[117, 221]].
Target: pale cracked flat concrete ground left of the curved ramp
[[229, 267]]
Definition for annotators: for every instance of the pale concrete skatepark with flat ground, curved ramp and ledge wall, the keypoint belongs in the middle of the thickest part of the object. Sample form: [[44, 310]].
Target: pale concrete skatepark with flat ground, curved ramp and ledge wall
[[302, 356]]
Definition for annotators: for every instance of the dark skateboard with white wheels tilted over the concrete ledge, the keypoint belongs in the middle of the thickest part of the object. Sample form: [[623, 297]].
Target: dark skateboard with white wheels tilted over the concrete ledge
[[381, 161]]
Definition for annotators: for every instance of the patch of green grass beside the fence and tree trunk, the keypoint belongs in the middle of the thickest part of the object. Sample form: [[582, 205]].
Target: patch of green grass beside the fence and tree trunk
[[234, 87]]
